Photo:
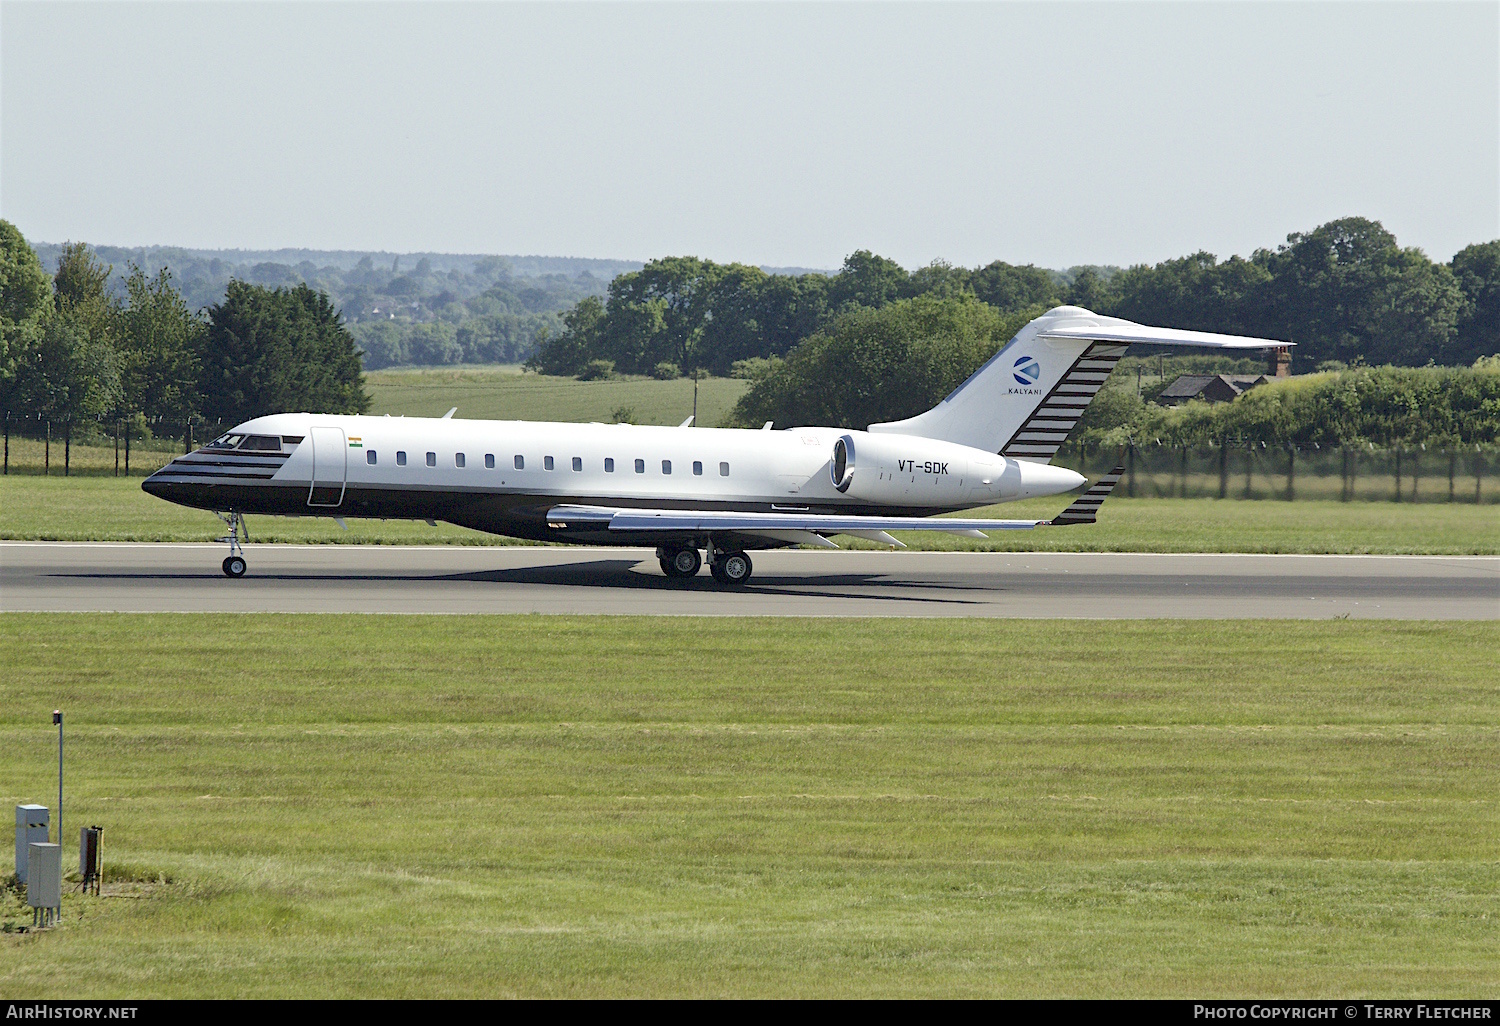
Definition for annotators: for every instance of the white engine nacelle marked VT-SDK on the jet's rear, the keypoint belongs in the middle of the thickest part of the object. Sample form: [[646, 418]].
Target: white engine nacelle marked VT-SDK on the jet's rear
[[907, 470]]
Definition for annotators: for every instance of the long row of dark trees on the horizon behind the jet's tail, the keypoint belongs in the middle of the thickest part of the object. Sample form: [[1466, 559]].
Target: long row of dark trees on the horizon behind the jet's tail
[[1343, 292]]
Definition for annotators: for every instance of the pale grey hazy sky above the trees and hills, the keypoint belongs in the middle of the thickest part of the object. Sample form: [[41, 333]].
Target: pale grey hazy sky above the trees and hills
[[772, 134]]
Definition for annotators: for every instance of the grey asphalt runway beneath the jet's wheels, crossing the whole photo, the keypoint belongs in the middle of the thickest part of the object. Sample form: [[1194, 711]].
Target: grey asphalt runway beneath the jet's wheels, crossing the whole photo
[[464, 580]]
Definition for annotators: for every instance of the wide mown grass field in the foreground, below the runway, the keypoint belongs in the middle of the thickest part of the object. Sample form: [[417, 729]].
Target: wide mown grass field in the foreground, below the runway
[[382, 806]]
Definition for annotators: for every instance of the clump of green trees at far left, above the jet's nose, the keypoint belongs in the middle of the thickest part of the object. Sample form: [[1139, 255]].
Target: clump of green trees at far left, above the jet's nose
[[73, 350]]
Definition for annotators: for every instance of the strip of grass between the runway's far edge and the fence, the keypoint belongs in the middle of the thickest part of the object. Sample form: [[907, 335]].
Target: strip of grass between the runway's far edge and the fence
[[107, 509]]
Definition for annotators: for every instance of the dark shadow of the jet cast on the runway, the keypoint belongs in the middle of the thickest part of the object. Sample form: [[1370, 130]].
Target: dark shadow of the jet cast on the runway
[[605, 574]]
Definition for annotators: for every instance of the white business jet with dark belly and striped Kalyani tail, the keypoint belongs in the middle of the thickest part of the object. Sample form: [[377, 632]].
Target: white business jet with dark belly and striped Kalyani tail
[[691, 491]]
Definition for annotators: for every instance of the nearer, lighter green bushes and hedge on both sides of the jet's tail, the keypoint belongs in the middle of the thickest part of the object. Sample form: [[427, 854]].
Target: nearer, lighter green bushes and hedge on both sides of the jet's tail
[[875, 365]]
